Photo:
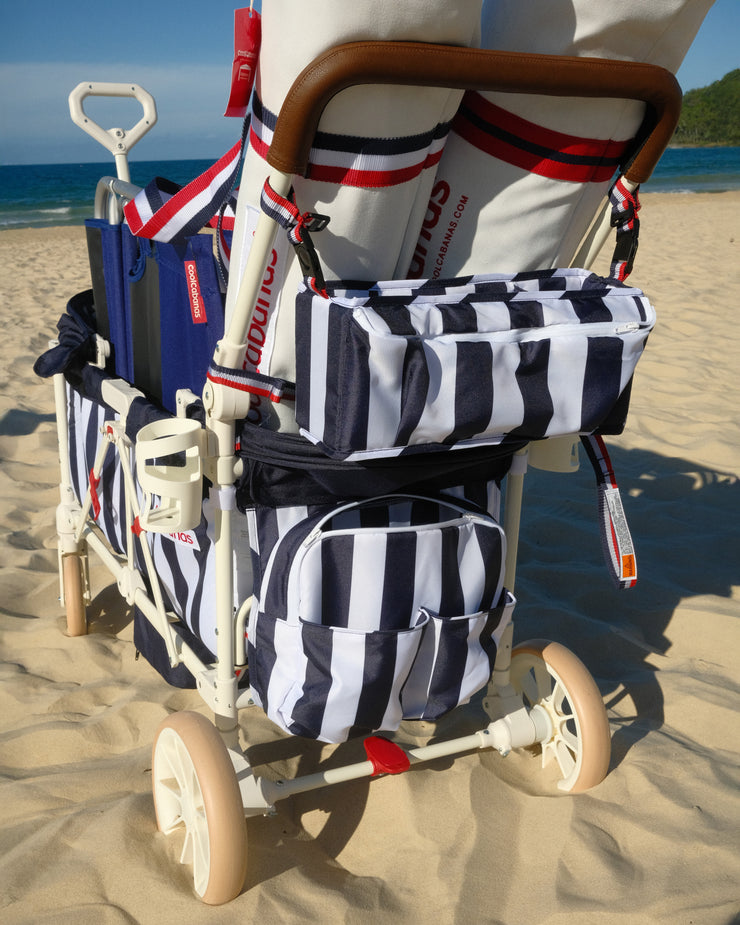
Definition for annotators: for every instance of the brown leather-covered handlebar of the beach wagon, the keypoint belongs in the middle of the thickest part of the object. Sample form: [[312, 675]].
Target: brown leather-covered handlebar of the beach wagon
[[423, 65]]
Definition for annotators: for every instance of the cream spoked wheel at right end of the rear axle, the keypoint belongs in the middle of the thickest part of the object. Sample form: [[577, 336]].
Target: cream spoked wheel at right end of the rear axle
[[551, 677]]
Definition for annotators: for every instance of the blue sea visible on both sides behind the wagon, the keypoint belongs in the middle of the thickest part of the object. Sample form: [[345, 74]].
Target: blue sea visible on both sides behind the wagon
[[39, 195]]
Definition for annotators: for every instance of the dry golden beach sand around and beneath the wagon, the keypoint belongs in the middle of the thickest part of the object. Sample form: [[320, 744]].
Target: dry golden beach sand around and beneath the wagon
[[477, 840]]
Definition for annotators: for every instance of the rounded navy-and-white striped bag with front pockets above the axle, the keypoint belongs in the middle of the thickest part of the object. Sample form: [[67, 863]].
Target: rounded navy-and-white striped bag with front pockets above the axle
[[374, 612]]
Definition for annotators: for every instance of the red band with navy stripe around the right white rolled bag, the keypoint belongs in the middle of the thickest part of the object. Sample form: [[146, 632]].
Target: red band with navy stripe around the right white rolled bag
[[525, 133]]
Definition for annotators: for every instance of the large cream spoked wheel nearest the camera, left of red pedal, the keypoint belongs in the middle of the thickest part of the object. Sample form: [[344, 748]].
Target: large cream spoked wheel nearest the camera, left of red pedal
[[196, 790]]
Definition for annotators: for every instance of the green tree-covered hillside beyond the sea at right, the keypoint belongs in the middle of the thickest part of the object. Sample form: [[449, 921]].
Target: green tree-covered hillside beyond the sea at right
[[711, 115]]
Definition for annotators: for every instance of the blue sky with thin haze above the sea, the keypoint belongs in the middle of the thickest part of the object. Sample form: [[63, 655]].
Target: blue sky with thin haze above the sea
[[181, 52]]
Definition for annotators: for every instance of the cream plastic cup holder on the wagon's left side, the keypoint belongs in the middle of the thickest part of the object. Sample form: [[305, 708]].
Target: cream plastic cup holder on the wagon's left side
[[169, 469]]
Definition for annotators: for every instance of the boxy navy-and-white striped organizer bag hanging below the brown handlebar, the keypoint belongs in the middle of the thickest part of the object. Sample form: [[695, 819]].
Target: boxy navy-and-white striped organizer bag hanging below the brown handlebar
[[395, 368]]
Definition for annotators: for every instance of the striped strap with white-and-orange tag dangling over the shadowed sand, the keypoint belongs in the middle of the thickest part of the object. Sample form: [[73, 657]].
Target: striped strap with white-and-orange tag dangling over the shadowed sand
[[616, 539]]
